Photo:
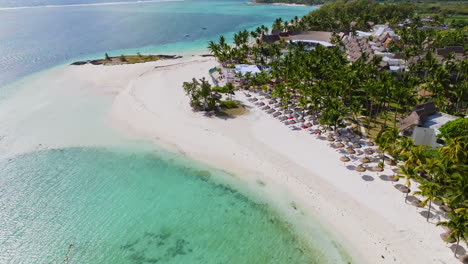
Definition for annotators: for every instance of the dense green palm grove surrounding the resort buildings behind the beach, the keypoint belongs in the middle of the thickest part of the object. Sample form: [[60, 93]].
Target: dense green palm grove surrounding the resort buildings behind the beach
[[324, 83]]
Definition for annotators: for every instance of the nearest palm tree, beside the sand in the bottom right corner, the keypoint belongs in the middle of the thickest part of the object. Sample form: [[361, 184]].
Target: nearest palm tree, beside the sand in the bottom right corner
[[458, 225]]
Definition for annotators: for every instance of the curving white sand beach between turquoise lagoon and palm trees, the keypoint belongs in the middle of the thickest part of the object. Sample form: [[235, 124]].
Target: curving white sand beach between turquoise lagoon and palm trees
[[367, 214]]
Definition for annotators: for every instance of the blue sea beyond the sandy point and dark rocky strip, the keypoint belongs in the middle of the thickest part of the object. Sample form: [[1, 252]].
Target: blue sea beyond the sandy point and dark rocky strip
[[34, 39]]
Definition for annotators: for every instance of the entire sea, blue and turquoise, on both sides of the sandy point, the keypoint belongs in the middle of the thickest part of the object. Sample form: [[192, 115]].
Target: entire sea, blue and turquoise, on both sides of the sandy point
[[116, 201]]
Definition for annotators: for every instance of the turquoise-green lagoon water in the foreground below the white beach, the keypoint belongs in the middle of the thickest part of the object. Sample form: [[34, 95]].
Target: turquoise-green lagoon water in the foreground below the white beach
[[126, 206]]
